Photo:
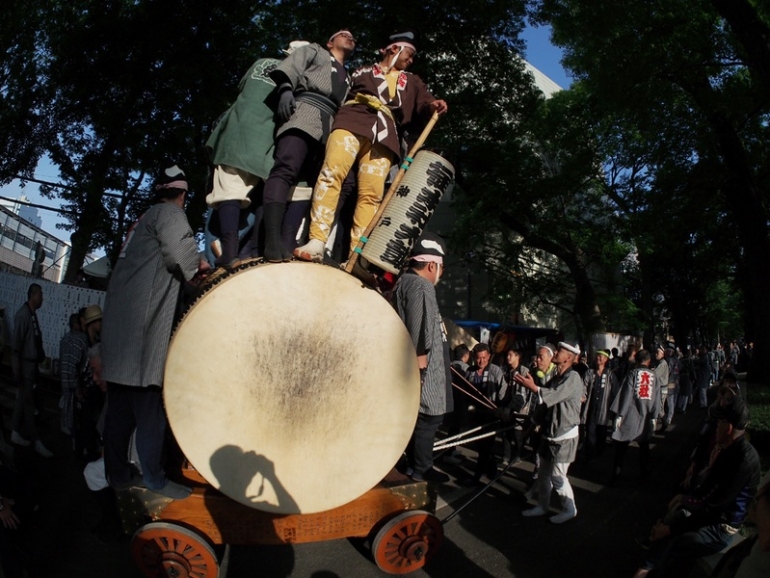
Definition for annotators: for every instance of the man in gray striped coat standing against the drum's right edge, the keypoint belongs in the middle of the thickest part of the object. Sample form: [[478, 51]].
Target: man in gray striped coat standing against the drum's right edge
[[414, 298]]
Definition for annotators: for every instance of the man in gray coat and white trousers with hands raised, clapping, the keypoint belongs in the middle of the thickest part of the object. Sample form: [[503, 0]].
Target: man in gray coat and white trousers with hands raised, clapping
[[560, 433]]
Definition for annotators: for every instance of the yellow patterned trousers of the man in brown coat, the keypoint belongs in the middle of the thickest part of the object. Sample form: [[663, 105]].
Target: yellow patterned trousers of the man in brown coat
[[374, 161]]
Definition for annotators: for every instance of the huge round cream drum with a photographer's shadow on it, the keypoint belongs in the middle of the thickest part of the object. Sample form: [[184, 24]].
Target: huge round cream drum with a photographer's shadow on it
[[291, 387]]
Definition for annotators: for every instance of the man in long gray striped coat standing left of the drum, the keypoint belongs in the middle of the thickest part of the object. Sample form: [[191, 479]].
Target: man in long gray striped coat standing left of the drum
[[159, 253]]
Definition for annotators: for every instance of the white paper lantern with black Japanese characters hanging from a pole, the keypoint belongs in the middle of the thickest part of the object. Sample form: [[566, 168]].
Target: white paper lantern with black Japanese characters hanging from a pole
[[408, 211]]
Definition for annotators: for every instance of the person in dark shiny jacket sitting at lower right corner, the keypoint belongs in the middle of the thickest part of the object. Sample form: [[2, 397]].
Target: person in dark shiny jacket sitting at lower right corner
[[705, 519]]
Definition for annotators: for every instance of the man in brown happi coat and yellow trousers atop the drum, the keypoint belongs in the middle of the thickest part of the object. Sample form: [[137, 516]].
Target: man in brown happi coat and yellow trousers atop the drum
[[384, 100]]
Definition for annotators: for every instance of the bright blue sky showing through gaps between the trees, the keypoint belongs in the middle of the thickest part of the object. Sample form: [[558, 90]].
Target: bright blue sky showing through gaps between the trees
[[540, 53]]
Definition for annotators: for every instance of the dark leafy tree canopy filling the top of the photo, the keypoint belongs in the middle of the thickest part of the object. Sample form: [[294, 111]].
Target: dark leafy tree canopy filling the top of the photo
[[635, 200]]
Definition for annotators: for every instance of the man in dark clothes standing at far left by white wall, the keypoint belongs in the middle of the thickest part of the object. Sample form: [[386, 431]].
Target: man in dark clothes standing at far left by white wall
[[26, 355]]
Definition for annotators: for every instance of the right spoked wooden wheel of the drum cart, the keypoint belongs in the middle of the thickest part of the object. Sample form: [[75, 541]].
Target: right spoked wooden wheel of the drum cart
[[407, 541]]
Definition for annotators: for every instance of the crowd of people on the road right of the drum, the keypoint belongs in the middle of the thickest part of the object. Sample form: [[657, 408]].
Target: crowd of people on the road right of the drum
[[558, 410]]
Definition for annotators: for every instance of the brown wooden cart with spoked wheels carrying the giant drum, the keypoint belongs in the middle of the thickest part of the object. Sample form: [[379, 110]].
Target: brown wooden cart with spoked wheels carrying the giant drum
[[175, 538]]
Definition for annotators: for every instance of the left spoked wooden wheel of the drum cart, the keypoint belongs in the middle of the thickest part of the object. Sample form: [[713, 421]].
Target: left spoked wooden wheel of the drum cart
[[168, 550]]
